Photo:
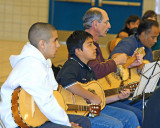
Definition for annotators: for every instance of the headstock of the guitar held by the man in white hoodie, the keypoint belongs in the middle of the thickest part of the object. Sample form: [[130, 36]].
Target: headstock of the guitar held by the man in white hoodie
[[94, 110]]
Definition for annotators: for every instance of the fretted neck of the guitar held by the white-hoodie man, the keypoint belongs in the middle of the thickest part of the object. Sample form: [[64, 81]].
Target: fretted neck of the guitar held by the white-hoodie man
[[72, 107]]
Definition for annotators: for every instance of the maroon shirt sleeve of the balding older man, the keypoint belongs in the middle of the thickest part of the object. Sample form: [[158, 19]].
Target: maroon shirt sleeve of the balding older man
[[101, 69]]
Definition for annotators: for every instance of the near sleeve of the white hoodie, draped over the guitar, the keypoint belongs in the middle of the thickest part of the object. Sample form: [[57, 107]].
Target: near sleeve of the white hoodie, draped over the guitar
[[37, 81]]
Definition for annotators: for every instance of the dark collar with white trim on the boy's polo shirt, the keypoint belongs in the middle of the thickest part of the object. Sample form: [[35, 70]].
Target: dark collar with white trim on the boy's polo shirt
[[83, 65]]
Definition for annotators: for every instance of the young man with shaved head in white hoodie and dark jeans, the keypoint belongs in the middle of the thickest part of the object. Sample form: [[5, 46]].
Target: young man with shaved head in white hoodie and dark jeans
[[32, 71]]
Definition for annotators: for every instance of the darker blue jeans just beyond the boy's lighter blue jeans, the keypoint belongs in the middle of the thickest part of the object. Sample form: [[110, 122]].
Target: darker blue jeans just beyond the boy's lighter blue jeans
[[135, 108]]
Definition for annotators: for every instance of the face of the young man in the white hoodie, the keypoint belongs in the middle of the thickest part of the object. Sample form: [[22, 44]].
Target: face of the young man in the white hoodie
[[52, 46]]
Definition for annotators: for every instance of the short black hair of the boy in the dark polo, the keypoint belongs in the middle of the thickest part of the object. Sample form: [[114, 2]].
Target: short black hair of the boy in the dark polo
[[76, 40]]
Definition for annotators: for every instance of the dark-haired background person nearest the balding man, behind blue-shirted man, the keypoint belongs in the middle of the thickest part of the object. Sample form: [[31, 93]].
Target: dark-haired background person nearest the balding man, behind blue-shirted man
[[130, 27]]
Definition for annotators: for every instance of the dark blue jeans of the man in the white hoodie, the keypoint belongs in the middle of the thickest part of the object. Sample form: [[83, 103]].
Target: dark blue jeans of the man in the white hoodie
[[81, 120]]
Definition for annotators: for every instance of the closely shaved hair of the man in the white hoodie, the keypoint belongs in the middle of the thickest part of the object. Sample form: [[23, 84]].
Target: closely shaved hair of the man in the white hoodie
[[40, 31]]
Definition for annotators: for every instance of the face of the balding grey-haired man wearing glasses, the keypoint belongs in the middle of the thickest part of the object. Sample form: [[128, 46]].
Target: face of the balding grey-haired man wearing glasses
[[104, 25]]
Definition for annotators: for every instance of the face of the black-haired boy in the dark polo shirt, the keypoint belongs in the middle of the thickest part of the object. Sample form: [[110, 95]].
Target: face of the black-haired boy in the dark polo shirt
[[89, 51]]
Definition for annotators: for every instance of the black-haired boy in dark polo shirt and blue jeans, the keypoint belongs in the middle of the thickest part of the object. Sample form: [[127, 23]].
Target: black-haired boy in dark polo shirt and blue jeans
[[81, 49]]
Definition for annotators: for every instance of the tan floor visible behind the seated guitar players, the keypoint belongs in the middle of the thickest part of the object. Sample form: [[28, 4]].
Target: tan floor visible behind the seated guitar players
[[8, 48]]
